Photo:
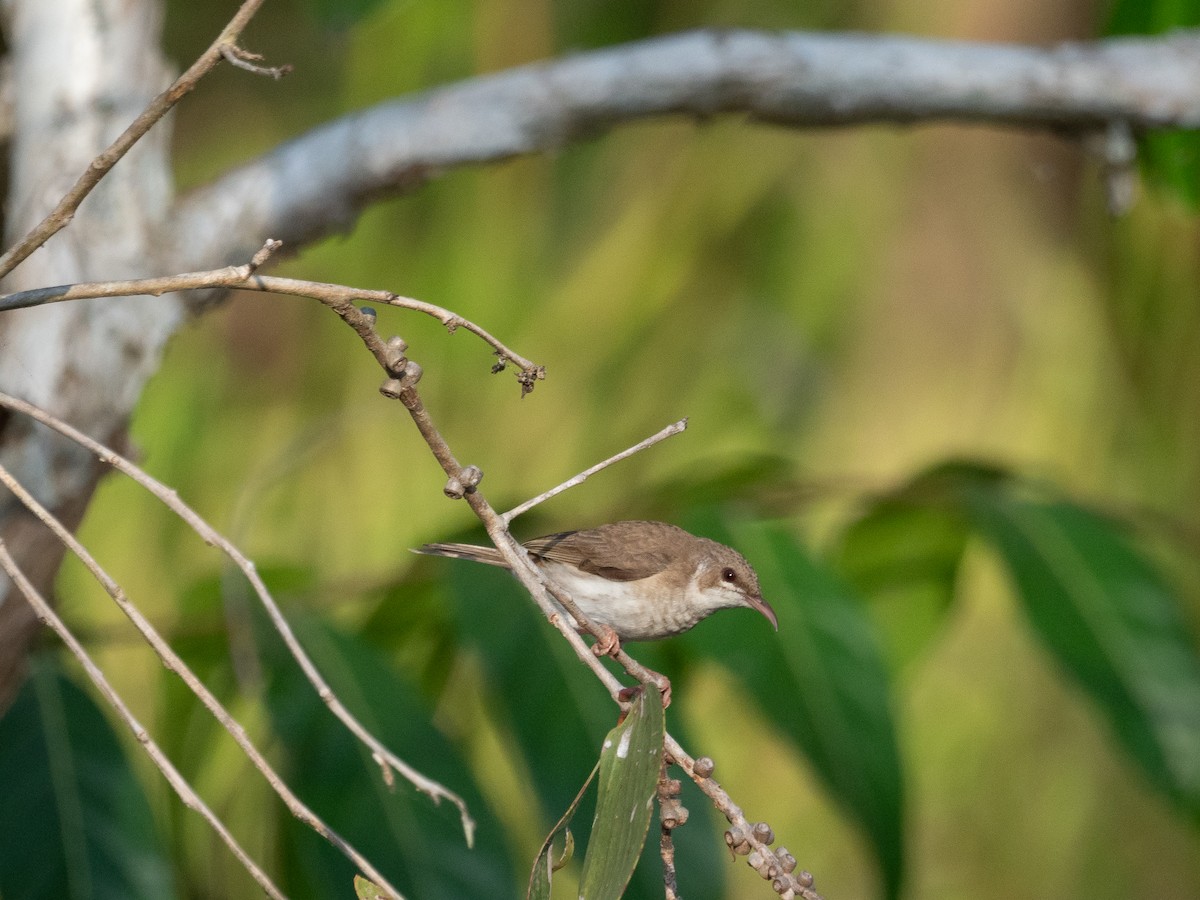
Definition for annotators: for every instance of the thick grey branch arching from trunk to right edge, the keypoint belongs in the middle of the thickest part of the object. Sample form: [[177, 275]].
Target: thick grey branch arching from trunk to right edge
[[320, 182]]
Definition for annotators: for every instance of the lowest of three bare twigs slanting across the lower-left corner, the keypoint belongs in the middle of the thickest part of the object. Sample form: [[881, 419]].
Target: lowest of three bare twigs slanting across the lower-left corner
[[46, 614]]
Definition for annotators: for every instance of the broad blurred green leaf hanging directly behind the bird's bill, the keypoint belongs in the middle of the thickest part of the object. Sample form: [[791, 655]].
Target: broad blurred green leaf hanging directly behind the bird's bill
[[821, 682]]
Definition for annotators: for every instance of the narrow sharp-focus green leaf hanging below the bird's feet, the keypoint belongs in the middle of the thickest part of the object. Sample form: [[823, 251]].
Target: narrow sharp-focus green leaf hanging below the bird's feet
[[631, 764]]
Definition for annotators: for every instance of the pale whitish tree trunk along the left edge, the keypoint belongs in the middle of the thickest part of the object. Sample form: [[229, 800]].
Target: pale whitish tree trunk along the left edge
[[81, 71]]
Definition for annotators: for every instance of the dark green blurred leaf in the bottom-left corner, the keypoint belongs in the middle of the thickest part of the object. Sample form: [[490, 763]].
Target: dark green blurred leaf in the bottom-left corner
[[75, 821]]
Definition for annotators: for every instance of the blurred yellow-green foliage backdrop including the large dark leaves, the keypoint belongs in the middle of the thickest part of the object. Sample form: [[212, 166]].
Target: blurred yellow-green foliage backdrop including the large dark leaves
[[841, 314]]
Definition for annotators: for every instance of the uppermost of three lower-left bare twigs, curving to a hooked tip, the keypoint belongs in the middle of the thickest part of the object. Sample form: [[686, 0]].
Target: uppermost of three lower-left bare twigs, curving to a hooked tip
[[386, 759]]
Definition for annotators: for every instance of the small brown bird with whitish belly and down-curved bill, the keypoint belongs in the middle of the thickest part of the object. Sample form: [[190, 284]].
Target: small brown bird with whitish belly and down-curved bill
[[638, 581]]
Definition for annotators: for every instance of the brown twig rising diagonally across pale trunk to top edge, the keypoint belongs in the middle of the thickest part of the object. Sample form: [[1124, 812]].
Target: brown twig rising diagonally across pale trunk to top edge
[[159, 107]]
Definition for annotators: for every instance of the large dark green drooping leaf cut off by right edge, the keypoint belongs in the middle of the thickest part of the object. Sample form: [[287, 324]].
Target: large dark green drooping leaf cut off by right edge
[[1114, 626]]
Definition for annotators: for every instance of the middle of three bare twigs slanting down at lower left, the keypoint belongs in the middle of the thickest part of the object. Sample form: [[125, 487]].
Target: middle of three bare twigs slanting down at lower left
[[177, 665]]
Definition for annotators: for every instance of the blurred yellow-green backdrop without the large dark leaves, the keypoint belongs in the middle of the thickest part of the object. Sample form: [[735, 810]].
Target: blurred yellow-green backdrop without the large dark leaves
[[835, 311]]
